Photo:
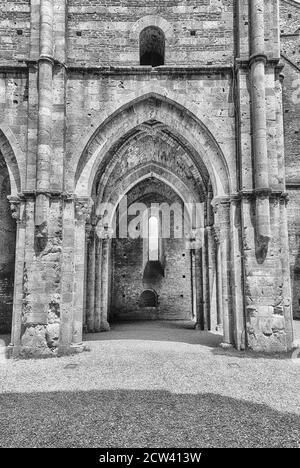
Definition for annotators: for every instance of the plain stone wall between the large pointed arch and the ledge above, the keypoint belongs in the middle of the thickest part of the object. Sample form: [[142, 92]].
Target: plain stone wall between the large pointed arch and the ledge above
[[92, 97]]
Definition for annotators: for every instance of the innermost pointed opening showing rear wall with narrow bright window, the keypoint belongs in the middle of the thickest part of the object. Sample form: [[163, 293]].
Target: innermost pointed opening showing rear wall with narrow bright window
[[151, 267]]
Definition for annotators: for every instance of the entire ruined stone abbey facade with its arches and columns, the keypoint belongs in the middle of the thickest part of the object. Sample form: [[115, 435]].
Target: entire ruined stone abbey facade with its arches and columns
[[149, 169]]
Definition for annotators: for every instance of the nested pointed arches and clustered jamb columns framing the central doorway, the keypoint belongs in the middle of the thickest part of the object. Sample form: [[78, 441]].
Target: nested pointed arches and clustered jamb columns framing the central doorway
[[155, 138]]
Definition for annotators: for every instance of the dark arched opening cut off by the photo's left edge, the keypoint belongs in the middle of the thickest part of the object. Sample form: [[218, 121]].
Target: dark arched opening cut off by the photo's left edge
[[7, 250]]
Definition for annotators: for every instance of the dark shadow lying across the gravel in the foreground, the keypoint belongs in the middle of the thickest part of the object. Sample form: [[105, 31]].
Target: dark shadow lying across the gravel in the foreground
[[142, 418]]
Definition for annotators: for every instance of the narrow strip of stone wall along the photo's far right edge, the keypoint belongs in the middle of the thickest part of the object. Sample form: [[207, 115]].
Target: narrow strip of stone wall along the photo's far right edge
[[290, 47]]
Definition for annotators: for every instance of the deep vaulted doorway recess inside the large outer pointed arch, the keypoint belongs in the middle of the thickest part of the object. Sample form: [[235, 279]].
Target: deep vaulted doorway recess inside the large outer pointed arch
[[151, 231]]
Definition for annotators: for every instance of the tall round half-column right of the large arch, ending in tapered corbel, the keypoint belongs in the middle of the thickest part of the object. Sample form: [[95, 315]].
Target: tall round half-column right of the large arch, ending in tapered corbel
[[259, 123]]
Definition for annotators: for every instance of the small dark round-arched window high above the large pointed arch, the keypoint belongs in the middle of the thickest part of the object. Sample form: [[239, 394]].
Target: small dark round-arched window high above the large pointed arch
[[152, 46]]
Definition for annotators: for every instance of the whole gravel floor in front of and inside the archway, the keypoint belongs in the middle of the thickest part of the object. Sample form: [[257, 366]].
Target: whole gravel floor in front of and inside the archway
[[151, 385]]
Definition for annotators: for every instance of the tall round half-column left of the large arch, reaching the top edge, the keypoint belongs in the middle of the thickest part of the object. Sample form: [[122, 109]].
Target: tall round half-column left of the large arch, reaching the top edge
[[44, 150]]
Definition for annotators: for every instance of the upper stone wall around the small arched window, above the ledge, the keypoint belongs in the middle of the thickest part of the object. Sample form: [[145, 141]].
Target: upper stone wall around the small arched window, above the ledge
[[198, 32]]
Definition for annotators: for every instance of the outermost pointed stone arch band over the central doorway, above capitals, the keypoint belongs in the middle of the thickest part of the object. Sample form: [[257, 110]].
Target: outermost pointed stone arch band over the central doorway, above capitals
[[180, 123]]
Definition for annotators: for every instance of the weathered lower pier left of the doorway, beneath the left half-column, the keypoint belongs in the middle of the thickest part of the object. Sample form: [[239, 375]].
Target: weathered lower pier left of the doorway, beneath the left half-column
[[42, 284]]
